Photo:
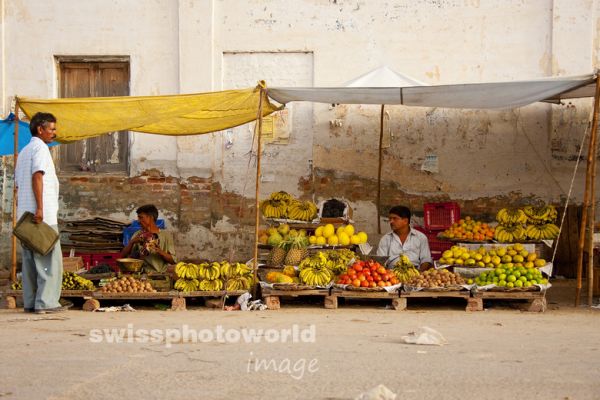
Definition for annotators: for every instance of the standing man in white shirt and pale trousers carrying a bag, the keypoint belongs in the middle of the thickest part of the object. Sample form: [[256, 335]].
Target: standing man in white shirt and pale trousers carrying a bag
[[37, 185]]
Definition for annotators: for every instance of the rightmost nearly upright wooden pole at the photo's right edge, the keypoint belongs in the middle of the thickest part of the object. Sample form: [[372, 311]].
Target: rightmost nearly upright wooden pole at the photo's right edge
[[592, 205]]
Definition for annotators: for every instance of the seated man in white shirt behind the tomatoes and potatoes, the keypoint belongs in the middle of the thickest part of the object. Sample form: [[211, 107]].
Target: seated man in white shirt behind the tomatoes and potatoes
[[404, 240]]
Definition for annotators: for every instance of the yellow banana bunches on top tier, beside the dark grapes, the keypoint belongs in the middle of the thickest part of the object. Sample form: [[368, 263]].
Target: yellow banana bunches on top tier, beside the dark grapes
[[283, 205]]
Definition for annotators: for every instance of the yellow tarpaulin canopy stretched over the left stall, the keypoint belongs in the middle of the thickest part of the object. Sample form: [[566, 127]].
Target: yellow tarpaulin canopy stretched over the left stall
[[188, 114]]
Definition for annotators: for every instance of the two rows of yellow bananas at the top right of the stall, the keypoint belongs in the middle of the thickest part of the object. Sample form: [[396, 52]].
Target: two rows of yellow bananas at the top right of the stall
[[527, 223]]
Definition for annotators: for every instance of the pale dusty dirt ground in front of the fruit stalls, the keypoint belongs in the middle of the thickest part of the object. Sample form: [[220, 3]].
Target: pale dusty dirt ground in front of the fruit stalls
[[499, 353]]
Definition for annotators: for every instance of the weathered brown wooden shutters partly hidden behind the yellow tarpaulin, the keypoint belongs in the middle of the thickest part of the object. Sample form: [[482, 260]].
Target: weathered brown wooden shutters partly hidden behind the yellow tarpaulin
[[106, 153]]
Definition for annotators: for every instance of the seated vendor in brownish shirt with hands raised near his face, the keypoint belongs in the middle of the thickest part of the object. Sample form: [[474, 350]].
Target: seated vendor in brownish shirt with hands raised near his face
[[154, 246]]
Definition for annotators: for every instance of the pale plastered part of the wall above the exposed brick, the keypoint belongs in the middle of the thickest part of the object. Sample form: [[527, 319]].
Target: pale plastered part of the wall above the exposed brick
[[189, 46]]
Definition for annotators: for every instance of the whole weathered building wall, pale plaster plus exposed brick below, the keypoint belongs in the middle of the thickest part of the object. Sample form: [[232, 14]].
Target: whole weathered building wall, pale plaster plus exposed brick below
[[205, 184]]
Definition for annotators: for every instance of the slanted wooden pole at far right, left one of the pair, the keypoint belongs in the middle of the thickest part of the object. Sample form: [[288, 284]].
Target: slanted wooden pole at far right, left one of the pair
[[587, 195]]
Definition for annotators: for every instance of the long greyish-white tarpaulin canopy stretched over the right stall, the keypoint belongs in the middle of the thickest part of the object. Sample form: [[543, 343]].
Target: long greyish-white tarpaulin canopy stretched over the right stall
[[473, 95]]
